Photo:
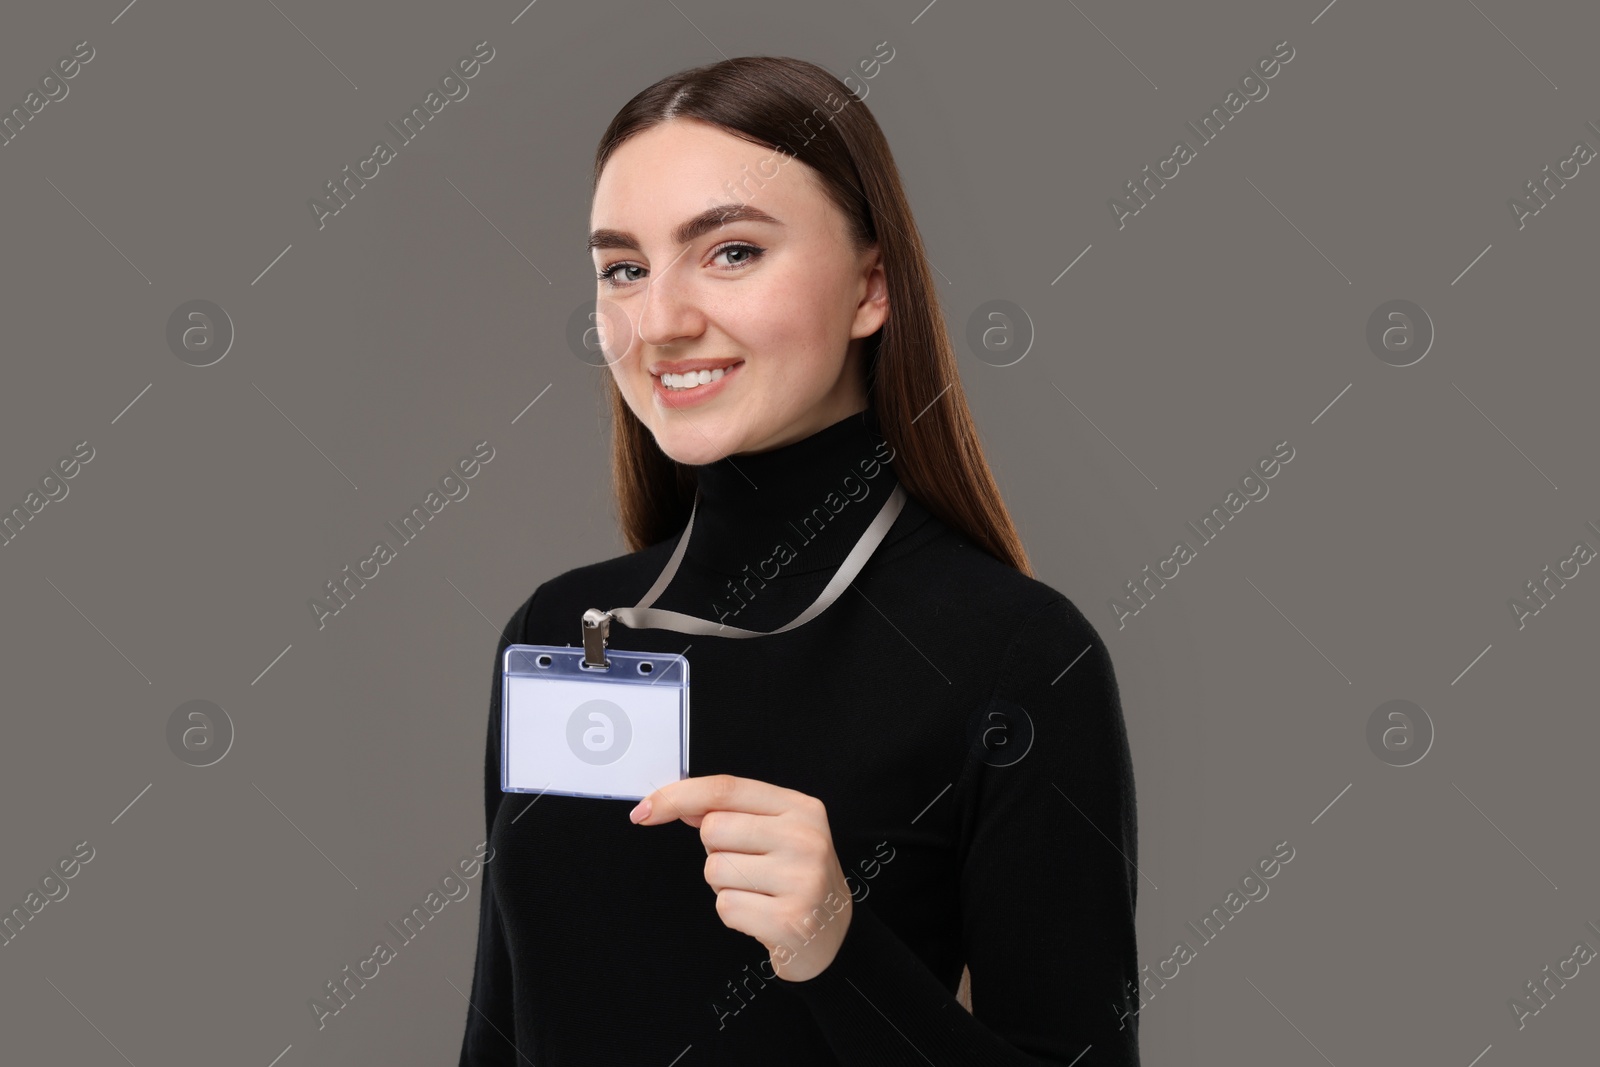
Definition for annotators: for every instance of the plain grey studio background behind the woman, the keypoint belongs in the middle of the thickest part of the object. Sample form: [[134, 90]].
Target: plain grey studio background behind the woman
[[1223, 319]]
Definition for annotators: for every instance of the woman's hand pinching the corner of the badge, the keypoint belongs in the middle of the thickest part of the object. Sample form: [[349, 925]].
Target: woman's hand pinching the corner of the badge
[[770, 858]]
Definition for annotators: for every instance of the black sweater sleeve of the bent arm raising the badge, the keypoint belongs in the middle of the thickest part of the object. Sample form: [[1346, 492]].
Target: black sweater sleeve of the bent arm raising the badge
[[1047, 885]]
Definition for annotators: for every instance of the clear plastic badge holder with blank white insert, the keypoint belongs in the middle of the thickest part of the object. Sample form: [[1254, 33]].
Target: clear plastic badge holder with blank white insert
[[617, 732]]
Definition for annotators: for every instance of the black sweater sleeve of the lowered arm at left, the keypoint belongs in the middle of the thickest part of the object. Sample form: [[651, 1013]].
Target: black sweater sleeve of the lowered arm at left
[[492, 1028]]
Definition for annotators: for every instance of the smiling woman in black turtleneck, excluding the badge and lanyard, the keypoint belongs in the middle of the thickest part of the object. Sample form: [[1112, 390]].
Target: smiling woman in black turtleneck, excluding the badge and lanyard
[[930, 775]]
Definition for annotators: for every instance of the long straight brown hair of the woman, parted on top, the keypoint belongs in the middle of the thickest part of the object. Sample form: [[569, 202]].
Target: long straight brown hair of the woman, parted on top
[[801, 110]]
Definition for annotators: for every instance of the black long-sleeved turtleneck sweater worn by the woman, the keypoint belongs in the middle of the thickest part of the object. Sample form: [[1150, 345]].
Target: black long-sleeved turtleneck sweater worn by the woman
[[961, 724]]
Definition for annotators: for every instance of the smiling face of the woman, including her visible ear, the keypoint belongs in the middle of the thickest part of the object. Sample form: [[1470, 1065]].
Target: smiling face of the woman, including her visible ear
[[714, 265]]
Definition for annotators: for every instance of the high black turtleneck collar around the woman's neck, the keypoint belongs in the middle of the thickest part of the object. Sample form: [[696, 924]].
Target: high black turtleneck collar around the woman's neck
[[796, 510]]
